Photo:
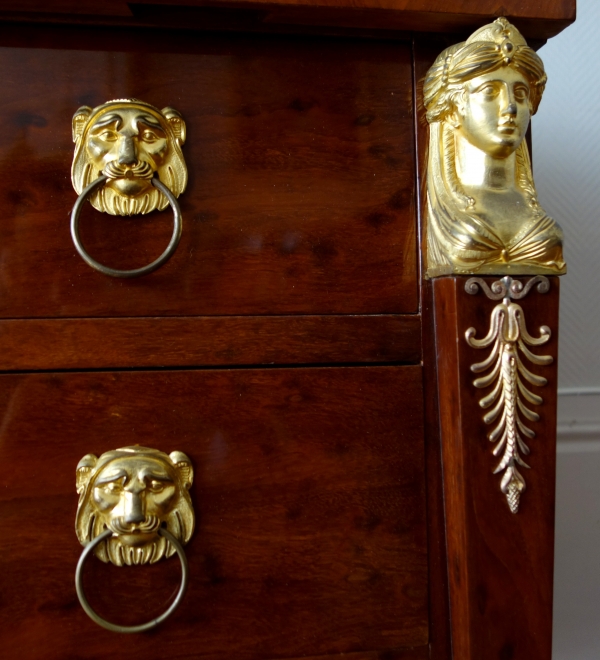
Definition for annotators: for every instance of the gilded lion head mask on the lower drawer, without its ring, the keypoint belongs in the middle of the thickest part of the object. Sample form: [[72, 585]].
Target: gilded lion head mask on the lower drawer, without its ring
[[133, 492]]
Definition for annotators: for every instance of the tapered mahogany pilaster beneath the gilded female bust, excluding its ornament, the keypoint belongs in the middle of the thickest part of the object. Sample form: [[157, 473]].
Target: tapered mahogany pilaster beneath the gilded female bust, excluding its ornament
[[500, 563]]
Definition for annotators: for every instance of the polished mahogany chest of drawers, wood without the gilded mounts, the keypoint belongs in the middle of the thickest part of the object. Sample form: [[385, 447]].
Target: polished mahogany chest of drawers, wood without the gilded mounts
[[288, 348]]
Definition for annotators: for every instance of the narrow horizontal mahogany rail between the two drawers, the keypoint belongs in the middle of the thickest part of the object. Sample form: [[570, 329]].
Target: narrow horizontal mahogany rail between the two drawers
[[48, 344]]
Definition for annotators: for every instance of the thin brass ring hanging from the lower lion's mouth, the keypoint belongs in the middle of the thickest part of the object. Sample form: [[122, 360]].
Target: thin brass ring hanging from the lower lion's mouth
[[143, 626]]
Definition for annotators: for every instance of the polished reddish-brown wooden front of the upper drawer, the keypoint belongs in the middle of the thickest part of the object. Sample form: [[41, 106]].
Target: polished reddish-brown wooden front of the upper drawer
[[301, 176]]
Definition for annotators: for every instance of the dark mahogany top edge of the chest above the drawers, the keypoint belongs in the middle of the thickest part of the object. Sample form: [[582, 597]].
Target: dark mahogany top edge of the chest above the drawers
[[541, 19]]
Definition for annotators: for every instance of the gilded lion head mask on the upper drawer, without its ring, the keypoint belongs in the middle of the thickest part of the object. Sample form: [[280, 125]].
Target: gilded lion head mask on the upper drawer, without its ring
[[129, 141]]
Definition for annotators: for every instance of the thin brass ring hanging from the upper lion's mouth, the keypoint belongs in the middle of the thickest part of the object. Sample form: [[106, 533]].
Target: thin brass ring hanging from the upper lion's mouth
[[136, 272]]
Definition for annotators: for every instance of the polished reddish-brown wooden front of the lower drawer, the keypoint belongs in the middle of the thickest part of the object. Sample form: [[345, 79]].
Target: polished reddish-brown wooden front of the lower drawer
[[309, 494]]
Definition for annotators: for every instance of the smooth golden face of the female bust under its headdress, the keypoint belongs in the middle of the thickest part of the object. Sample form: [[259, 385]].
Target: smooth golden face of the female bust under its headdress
[[494, 110]]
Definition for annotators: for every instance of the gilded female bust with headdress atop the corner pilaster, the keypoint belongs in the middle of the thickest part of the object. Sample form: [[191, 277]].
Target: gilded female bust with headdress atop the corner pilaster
[[483, 215]]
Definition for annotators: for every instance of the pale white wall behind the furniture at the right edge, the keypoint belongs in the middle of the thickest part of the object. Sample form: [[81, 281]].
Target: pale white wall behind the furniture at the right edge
[[566, 155]]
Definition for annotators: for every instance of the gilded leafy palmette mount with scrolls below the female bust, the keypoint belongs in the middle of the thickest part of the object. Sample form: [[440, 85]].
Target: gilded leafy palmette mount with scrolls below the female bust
[[507, 374]]
